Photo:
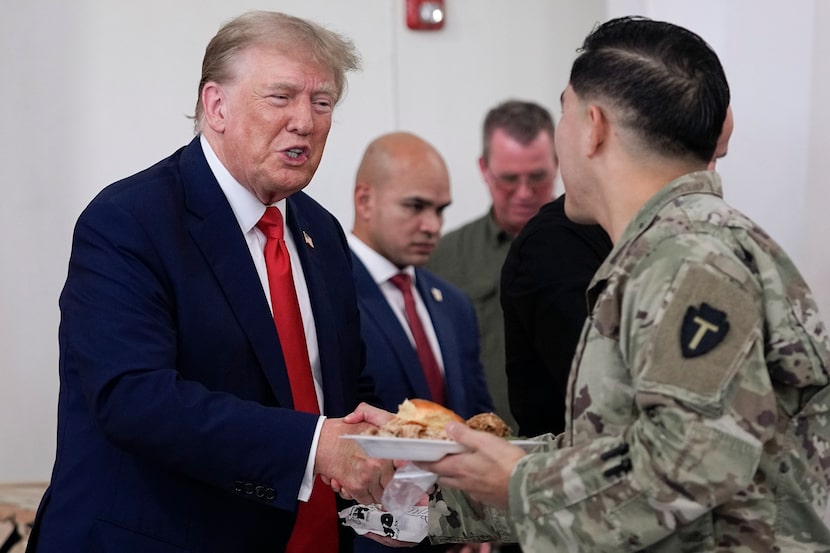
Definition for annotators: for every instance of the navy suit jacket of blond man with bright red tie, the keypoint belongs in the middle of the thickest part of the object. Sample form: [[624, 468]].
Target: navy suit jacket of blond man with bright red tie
[[175, 423]]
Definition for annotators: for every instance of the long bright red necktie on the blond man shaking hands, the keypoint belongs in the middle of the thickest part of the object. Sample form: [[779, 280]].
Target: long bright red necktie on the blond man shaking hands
[[316, 526]]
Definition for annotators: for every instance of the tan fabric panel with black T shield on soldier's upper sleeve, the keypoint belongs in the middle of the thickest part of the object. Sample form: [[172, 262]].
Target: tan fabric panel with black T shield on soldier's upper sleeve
[[703, 335]]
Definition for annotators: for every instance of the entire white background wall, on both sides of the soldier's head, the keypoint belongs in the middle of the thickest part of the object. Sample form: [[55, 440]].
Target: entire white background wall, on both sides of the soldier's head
[[94, 90]]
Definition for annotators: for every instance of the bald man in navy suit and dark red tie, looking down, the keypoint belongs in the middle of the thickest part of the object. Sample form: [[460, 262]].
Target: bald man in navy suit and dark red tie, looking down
[[401, 191]]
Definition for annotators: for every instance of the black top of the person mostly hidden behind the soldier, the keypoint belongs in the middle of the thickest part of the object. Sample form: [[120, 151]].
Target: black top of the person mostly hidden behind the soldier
[[544, 280]]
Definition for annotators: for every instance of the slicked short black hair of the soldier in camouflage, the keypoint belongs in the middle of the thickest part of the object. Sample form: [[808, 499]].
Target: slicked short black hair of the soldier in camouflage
[[665, 81]]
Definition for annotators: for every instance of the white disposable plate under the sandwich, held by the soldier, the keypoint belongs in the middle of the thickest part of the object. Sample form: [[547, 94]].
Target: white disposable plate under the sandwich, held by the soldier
[[416, 449]]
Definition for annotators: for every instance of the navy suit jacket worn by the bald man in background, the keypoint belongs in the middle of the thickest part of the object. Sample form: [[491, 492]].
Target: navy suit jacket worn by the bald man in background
[[392, 362]]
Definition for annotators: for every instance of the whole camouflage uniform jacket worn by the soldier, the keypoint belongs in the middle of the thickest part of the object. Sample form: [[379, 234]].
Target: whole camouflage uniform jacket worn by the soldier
[[698, 406]]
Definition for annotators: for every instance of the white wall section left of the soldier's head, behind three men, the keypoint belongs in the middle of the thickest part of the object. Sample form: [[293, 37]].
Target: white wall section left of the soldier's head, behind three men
[[94, 90]]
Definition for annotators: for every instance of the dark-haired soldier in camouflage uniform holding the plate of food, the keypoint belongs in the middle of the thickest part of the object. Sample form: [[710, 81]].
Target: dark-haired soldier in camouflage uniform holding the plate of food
[[698, 404]]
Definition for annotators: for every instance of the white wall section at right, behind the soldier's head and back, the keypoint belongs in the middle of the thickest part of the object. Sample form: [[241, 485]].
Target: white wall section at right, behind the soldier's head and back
[[775, 55]]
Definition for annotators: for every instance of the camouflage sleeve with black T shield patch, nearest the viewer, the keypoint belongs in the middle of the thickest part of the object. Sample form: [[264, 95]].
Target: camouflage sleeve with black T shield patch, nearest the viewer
[[691, 349]]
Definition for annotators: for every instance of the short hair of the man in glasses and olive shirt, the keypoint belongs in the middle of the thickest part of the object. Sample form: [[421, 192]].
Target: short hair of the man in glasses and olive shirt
[[522, 121]]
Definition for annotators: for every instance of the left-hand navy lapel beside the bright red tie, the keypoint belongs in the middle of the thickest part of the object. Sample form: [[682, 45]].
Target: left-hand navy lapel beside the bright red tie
[[216, 233]]
